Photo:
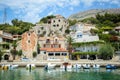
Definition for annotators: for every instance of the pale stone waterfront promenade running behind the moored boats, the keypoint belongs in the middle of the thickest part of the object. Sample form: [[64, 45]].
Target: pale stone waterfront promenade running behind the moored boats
[[58, 63]]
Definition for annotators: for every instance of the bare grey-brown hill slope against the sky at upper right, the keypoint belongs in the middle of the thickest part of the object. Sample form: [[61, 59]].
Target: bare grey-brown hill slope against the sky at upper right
[[92, 13]]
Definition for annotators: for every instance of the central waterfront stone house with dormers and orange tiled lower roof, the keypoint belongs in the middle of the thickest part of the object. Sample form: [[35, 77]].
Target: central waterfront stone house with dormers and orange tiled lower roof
[[53, 48]]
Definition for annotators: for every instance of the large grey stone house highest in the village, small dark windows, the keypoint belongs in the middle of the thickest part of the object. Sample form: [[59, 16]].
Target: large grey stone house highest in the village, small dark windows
[[55, 26]]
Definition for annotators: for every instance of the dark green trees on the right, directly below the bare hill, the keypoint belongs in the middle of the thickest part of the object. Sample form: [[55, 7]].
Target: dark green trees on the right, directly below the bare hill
[[111, 20]]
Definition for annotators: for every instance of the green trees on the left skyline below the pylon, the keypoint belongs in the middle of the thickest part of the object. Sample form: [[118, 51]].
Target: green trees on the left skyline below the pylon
[[17, 26]]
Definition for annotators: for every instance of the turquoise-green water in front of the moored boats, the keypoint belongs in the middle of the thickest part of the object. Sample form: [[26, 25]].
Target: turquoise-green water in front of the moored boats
[[57, 74]]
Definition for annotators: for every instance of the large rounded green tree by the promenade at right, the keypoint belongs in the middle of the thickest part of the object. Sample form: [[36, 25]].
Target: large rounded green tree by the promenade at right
[[106, 51]]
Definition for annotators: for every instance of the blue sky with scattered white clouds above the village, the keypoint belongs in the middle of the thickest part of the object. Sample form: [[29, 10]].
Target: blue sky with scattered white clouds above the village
[[34, 10]]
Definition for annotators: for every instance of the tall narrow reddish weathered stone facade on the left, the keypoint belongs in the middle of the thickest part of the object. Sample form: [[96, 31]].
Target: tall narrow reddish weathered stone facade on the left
[[29, 43]]
